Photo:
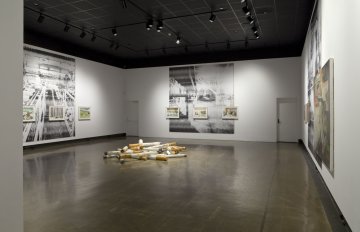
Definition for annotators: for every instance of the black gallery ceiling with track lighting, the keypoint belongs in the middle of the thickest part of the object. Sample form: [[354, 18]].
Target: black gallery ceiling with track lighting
[[282, 25]]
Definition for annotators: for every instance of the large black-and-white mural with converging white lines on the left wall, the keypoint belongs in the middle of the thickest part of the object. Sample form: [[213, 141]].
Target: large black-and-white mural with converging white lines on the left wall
[[49, 86]]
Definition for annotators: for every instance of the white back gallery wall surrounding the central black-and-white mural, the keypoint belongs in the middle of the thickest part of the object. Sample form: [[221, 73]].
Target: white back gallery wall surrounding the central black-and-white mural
[[257, 85]]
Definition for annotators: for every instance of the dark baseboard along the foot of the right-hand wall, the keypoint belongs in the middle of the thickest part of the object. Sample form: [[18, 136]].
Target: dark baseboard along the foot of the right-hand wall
[[338, 222]]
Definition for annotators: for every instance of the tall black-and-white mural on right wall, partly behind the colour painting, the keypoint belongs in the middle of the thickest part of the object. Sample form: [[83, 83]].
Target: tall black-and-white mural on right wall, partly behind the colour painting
[[314, 66]]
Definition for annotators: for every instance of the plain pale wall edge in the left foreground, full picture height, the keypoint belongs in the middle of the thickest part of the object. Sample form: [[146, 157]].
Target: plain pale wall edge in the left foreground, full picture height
[[11, 157]]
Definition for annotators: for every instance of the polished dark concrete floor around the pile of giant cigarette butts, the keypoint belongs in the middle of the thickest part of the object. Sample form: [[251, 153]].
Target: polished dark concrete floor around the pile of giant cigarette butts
[[220, 186]]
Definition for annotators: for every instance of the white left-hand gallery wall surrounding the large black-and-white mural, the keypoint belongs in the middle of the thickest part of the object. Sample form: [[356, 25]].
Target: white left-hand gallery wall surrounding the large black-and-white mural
[[100, 87]]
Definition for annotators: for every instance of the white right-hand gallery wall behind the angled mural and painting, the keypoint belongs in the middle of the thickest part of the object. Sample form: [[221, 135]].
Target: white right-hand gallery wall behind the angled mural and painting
[[342, 44]]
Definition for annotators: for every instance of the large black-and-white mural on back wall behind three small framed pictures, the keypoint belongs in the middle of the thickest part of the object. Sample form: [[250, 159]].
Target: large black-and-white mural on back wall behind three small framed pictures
[[210, 86]]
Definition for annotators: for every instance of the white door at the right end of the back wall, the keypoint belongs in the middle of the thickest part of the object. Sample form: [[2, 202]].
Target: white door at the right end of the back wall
[[287, 120]]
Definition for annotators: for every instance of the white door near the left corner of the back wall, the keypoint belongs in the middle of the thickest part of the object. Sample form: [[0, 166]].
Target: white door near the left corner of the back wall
[[132, 118]]
